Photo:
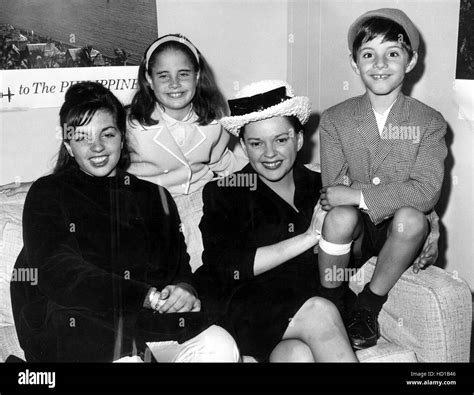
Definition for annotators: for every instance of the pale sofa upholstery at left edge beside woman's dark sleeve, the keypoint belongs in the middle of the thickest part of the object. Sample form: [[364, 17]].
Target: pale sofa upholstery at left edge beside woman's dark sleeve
[[11, 243]]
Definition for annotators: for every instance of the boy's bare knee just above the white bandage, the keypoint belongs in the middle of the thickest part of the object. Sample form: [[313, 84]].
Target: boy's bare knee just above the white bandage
[[340, 221]]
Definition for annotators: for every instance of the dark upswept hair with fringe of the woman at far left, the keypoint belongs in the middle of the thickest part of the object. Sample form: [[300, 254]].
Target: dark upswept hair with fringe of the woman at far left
[[81, 102]]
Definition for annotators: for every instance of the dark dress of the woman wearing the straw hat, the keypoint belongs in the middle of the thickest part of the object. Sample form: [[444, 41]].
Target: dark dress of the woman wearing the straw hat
[[235, 223]]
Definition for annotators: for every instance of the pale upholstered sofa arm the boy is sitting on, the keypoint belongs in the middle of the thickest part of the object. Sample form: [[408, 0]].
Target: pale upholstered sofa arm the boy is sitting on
[[429, 313]]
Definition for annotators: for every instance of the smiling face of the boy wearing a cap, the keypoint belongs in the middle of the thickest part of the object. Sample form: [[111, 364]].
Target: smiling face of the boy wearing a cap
[[382, 67]]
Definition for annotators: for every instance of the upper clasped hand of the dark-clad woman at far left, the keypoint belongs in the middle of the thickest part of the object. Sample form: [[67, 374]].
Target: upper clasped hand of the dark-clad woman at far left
[[179, 299]]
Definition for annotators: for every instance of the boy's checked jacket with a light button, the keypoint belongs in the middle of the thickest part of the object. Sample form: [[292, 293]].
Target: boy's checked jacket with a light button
[[403, 166]]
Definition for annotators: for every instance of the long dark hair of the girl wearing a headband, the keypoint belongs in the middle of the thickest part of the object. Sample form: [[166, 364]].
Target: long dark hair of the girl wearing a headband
[[208, 102]]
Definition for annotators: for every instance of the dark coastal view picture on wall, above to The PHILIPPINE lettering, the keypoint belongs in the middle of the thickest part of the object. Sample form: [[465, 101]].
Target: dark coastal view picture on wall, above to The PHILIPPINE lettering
[[55, 34]]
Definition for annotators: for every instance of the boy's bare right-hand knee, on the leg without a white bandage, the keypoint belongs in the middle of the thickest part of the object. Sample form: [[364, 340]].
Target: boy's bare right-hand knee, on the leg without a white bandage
[[409, 224]]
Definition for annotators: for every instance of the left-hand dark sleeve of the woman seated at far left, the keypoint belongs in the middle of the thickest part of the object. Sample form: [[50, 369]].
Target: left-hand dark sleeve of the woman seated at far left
[[64, 276]]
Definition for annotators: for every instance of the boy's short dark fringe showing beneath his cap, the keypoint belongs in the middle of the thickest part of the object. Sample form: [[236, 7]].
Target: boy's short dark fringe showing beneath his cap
[[387, 29]]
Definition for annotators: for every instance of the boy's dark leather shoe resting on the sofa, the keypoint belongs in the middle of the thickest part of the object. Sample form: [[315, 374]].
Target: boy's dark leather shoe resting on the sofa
[[363, 329]]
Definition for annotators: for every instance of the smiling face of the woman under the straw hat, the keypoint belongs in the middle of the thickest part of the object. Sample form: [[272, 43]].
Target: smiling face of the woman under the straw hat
[[271, 146]]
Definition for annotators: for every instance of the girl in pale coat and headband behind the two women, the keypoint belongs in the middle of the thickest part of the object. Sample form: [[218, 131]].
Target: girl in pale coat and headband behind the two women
[[173, 133]]
